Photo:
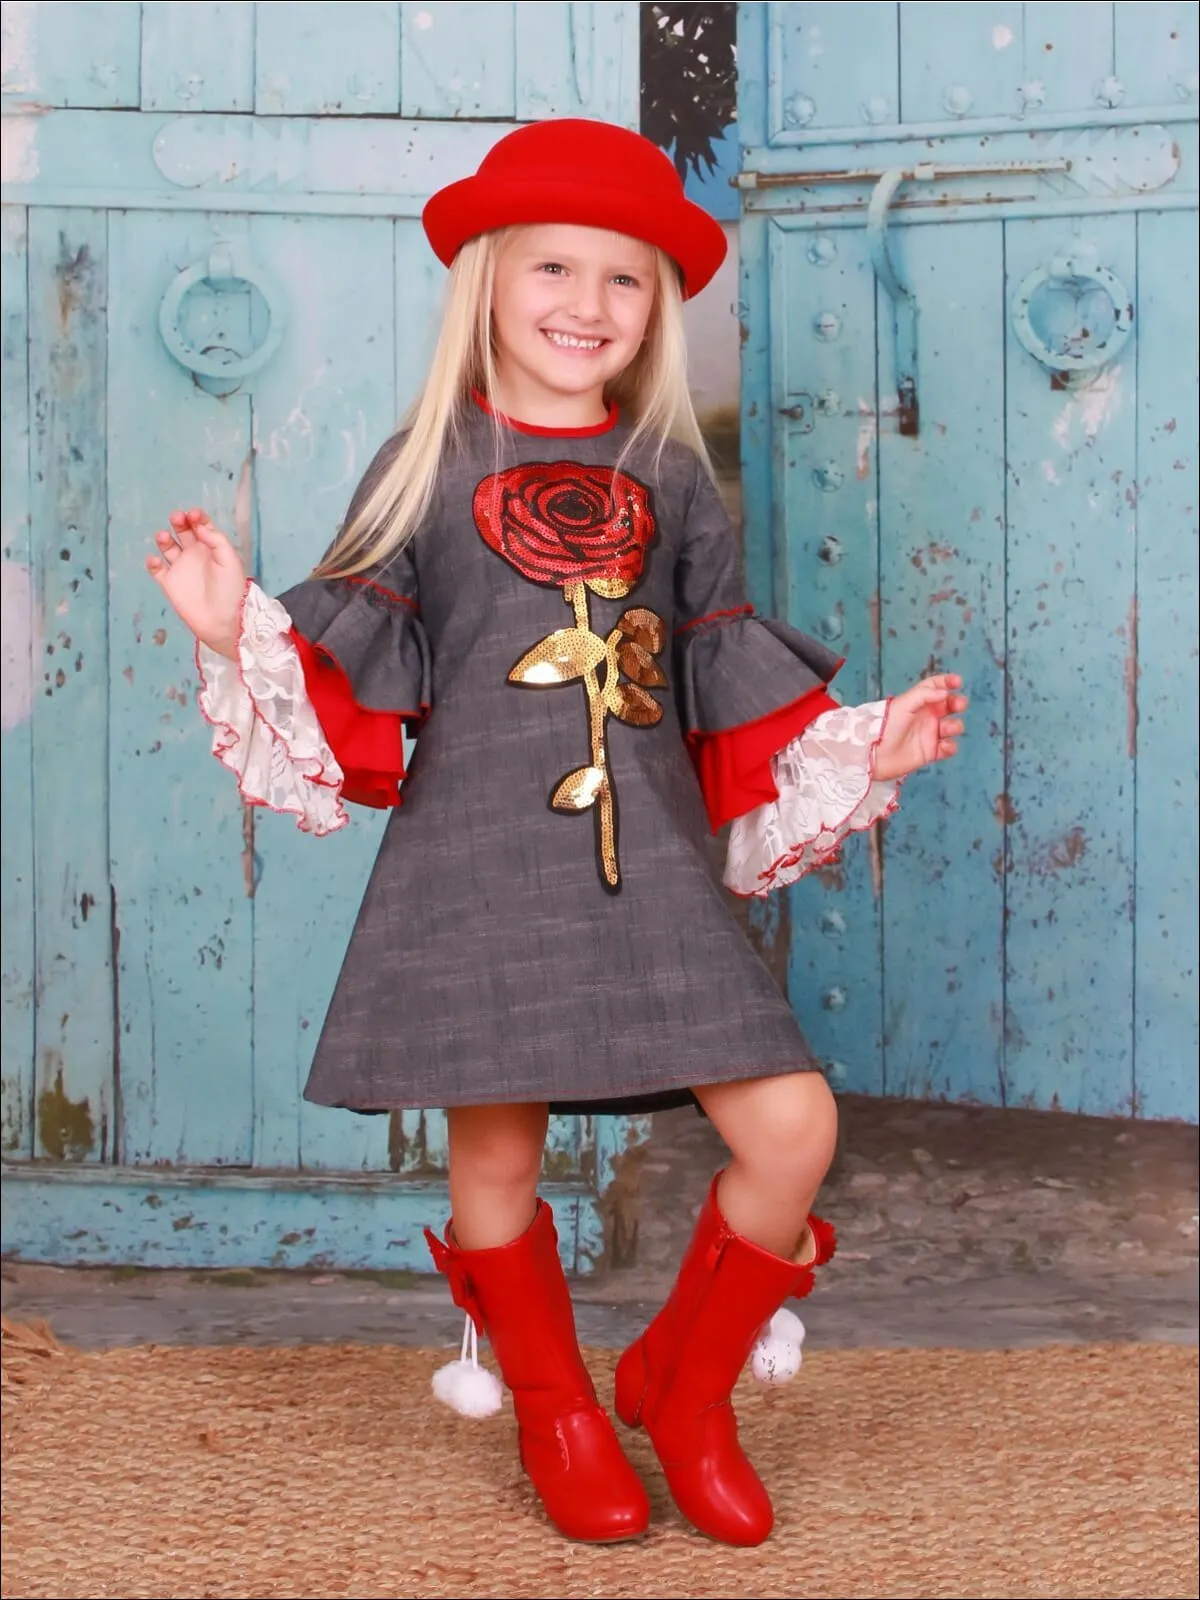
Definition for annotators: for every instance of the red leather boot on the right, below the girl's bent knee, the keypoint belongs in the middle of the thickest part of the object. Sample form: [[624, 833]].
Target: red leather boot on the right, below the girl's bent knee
[[676, 1380]]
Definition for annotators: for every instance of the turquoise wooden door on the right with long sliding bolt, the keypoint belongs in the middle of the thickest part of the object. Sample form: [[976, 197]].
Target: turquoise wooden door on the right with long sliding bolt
[[970, 431]]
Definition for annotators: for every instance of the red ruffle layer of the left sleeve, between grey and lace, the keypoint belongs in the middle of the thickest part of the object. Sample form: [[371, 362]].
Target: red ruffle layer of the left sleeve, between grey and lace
[[369, 745]]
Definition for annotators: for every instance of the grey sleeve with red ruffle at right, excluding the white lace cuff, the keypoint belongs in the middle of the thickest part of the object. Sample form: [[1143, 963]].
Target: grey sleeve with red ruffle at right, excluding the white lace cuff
[[748, 686]]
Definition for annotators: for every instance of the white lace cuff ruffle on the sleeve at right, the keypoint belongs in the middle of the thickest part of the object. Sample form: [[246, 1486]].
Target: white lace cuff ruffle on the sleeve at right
[[826, 794]]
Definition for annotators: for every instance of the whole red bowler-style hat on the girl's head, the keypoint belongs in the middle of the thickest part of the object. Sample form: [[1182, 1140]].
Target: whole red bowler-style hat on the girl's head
[[590, 174]]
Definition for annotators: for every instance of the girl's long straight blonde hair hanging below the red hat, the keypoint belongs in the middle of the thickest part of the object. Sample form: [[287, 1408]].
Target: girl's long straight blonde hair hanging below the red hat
[[652, 391]]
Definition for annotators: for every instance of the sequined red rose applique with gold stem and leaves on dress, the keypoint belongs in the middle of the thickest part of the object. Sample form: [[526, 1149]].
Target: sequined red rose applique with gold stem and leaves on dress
[[583, 529]]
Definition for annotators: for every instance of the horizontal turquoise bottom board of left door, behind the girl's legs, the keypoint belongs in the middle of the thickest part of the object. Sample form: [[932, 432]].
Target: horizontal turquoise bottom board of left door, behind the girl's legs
[[242, 1220]]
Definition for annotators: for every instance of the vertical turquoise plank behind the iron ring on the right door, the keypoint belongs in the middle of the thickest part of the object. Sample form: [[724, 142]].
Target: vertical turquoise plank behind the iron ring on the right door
[[1071, 593]]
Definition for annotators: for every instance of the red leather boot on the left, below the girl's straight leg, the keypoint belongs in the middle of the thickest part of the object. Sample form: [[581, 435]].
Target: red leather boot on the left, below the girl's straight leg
[[518, 1295]]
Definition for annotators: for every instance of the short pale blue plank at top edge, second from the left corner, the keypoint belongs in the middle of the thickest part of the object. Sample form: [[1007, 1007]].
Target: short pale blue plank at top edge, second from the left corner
[[198, 57]]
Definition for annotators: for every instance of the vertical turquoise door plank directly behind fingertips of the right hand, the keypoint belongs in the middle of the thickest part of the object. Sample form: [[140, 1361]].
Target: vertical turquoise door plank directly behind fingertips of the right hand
[[942, 609]]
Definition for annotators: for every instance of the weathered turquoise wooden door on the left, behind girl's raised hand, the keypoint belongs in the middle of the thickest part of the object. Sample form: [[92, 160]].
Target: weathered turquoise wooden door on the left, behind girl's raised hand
[[217, 290]]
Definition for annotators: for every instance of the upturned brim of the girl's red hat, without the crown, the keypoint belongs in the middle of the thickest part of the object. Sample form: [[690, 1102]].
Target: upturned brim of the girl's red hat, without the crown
[[481, 206]]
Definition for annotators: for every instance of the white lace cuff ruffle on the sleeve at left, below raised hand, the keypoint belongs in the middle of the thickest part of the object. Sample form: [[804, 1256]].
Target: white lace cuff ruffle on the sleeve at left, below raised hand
[[265, 727]]
